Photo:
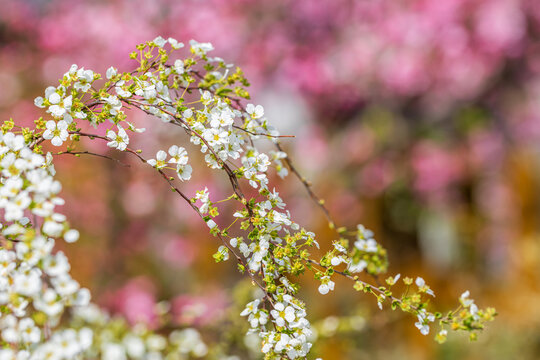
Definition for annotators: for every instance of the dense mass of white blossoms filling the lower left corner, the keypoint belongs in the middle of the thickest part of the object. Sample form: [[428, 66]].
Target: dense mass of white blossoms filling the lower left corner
[[36, 288]]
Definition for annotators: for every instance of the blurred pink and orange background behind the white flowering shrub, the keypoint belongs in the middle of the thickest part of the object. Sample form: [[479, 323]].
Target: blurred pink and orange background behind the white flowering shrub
[[418, 118]]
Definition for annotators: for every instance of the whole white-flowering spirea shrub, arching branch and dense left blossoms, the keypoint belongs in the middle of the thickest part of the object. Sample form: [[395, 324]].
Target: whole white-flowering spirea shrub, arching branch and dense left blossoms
[[45, 314]]
